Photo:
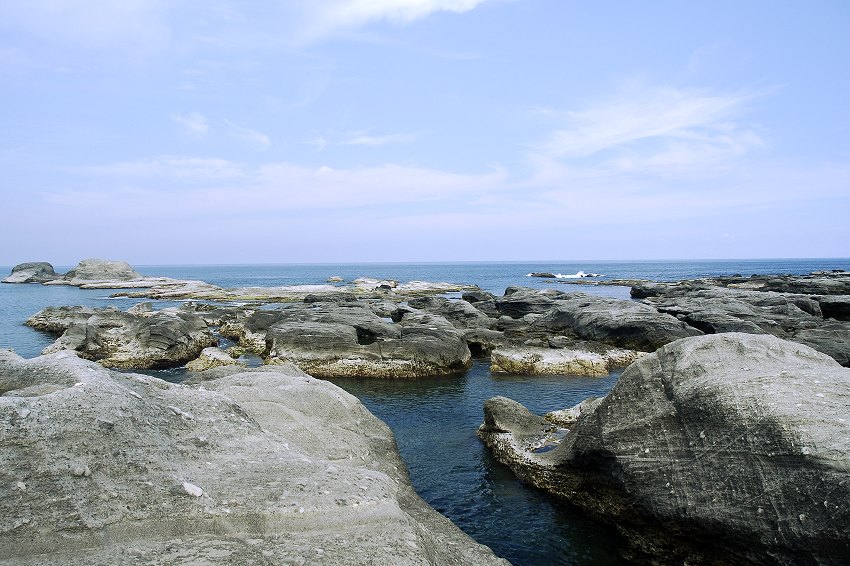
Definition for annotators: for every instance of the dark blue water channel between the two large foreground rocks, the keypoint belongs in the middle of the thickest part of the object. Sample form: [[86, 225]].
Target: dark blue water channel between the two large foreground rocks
[[434, 421]]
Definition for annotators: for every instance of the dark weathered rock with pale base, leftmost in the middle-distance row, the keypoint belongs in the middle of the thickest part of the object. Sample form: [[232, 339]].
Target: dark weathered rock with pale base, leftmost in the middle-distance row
[[166, 338]]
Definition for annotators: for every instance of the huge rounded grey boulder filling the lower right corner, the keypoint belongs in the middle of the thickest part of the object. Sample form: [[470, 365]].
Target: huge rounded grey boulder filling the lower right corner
[[715, 449]]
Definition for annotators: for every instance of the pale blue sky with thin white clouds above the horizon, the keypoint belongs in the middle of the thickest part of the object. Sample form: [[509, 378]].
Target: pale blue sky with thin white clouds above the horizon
[[215, 131]]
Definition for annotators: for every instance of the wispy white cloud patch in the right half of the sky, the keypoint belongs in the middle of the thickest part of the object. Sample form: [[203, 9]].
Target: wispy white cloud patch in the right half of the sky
[[661, 129]]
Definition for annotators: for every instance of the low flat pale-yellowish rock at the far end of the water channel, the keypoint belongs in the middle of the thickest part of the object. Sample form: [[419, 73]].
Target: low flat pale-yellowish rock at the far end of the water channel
[[547, 361]]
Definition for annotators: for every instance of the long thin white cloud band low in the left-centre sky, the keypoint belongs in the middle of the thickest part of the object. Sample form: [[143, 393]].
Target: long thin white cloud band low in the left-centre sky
[[207, 185]]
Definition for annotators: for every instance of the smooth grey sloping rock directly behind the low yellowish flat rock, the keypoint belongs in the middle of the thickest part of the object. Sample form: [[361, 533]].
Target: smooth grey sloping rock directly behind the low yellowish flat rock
[[627, 324]]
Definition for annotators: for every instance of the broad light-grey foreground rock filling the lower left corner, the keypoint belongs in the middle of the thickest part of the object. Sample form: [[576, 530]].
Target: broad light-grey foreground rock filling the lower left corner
[[102, 468]]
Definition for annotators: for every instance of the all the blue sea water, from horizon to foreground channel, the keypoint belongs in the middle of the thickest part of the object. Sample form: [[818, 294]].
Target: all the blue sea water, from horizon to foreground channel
[[434, 420]]
